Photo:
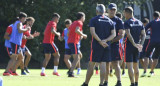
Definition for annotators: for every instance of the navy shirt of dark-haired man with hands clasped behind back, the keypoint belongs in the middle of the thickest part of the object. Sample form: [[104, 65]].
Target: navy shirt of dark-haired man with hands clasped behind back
[[135, 26]]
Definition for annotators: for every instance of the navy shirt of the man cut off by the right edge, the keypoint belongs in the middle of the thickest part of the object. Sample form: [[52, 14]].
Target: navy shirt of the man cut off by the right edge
[[155, 30]]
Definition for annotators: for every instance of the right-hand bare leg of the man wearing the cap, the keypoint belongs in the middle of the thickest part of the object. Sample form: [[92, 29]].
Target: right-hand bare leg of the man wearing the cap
[[117, 71]]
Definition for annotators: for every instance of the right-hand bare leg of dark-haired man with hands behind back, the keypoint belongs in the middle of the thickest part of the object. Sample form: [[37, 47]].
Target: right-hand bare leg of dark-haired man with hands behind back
[[136, 72]]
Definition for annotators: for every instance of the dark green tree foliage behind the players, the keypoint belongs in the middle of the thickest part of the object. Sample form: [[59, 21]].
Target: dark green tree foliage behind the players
[[42, 10]]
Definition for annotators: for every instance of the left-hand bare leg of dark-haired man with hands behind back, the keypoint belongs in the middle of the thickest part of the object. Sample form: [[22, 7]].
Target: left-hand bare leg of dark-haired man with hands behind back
[[130, 72]]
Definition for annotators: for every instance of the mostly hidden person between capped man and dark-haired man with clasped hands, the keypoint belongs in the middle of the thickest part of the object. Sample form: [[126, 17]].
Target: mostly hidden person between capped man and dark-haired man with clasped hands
[[122, 43]]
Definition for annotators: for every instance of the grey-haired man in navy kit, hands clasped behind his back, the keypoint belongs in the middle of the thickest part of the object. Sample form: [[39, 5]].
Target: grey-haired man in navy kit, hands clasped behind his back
[[102, 31]]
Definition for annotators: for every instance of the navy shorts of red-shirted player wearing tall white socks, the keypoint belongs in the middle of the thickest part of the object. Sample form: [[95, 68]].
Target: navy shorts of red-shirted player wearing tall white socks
[[50, 48]]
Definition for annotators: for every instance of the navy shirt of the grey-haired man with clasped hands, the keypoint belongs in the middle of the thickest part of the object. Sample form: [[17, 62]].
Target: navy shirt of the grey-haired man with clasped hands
[[103, 26]]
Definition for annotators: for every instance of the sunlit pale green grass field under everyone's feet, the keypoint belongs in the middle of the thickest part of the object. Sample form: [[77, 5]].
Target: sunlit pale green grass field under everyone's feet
[[34, 79]]
